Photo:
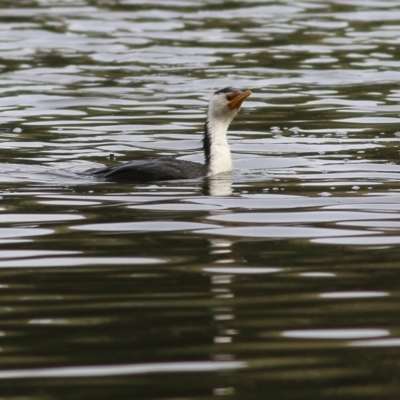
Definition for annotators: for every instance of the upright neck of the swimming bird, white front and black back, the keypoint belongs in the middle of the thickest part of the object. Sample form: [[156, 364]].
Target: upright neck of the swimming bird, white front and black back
[[216, 148]]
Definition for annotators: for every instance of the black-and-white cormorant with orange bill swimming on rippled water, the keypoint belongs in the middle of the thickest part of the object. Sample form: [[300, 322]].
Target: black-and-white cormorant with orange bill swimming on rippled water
[[223, 107]]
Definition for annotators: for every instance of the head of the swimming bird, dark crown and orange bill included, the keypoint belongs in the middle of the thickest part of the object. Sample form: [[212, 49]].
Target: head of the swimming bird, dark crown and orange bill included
[[226, 103]]
